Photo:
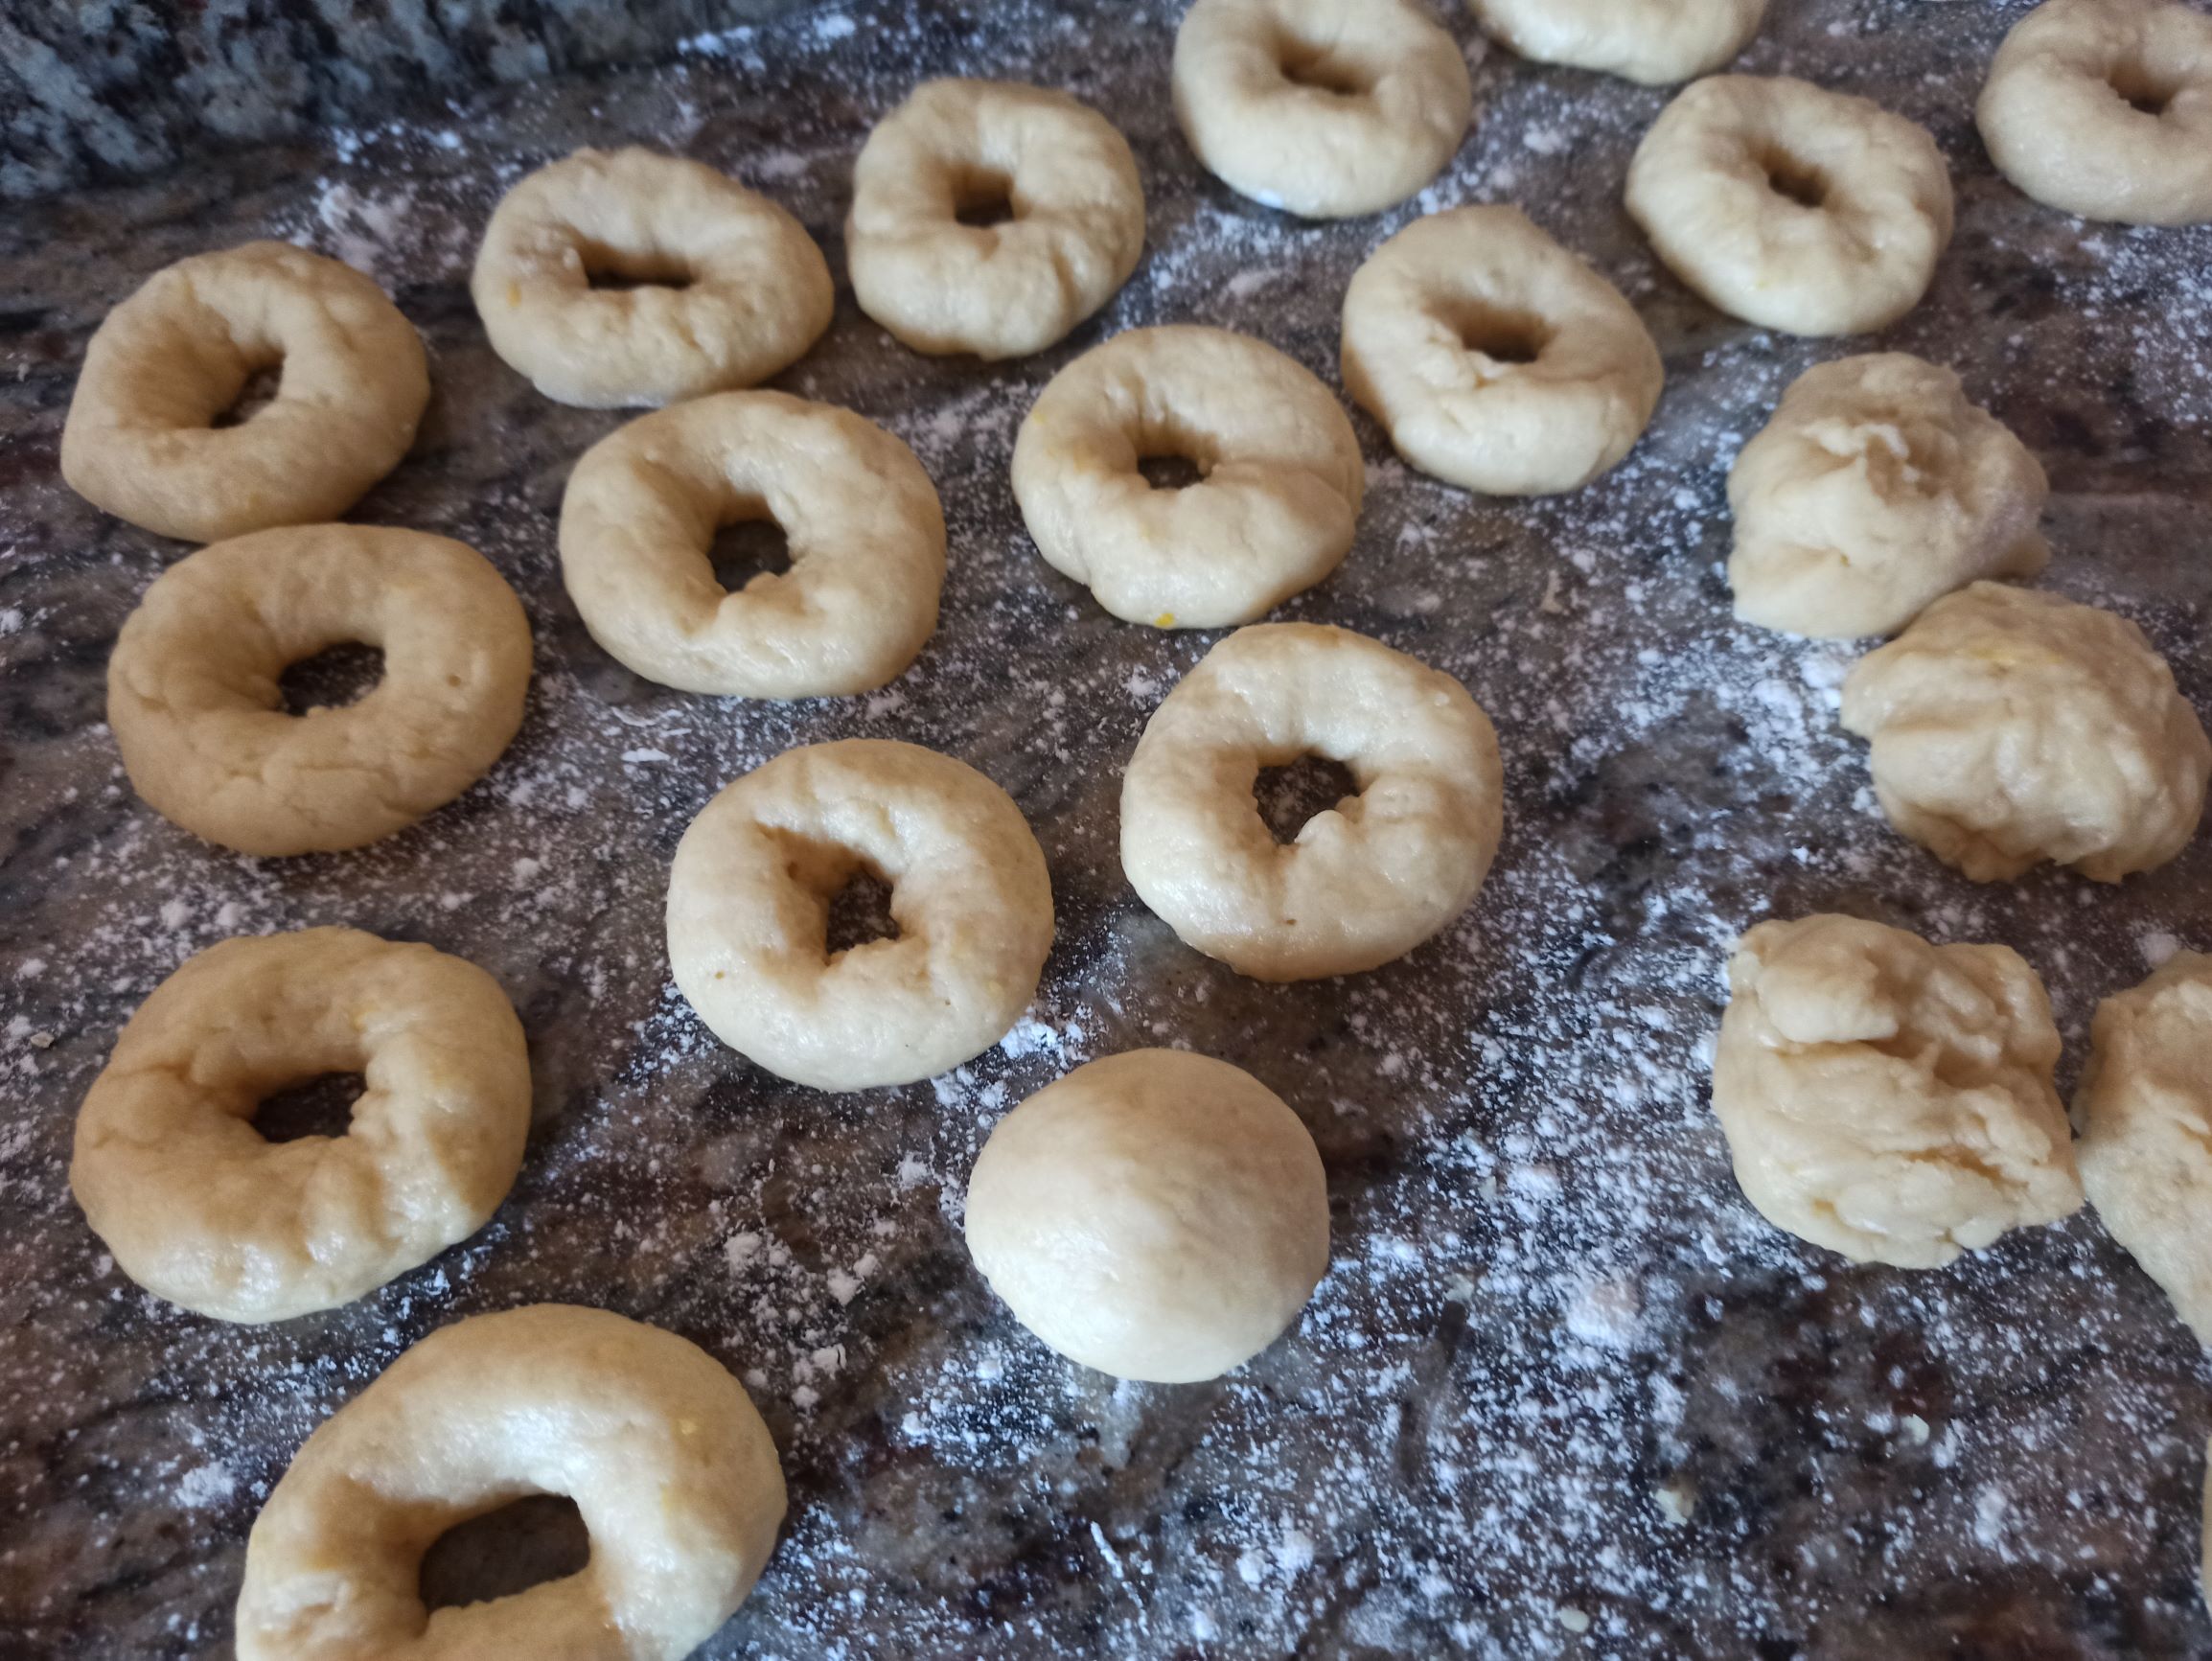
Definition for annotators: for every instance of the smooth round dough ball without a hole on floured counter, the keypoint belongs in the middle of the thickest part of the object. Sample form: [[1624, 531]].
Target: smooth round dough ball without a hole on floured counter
[[1156, 1215]]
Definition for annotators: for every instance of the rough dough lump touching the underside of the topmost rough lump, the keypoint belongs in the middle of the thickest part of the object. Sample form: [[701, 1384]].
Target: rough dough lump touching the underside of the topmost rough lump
[[2014, 727]]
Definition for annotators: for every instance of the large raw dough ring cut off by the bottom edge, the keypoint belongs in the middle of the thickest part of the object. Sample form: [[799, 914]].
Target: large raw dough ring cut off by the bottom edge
[[654, 1441]]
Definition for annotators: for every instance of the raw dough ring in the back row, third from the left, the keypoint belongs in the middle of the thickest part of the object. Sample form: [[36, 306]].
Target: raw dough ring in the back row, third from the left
[[999, 291]]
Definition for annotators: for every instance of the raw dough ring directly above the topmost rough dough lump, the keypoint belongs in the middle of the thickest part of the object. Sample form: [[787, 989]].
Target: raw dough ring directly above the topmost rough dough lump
[[1793, 207]]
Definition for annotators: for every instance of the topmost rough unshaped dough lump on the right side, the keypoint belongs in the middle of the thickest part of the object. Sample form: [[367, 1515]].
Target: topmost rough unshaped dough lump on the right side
[[1875, 492]]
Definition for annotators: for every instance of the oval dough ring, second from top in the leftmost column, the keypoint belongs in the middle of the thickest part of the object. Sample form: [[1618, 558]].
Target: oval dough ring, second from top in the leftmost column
[[198, 711]]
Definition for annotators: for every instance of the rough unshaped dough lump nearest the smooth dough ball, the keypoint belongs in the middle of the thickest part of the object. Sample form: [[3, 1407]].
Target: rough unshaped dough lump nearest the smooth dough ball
[[1886, 1098]]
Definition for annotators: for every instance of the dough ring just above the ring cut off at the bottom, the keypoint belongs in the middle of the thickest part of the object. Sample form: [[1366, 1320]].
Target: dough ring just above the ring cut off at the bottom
[[202, 1211]]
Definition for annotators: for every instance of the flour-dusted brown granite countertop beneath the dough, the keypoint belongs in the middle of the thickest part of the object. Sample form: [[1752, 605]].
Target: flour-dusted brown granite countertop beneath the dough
[[1563, 1392]]
